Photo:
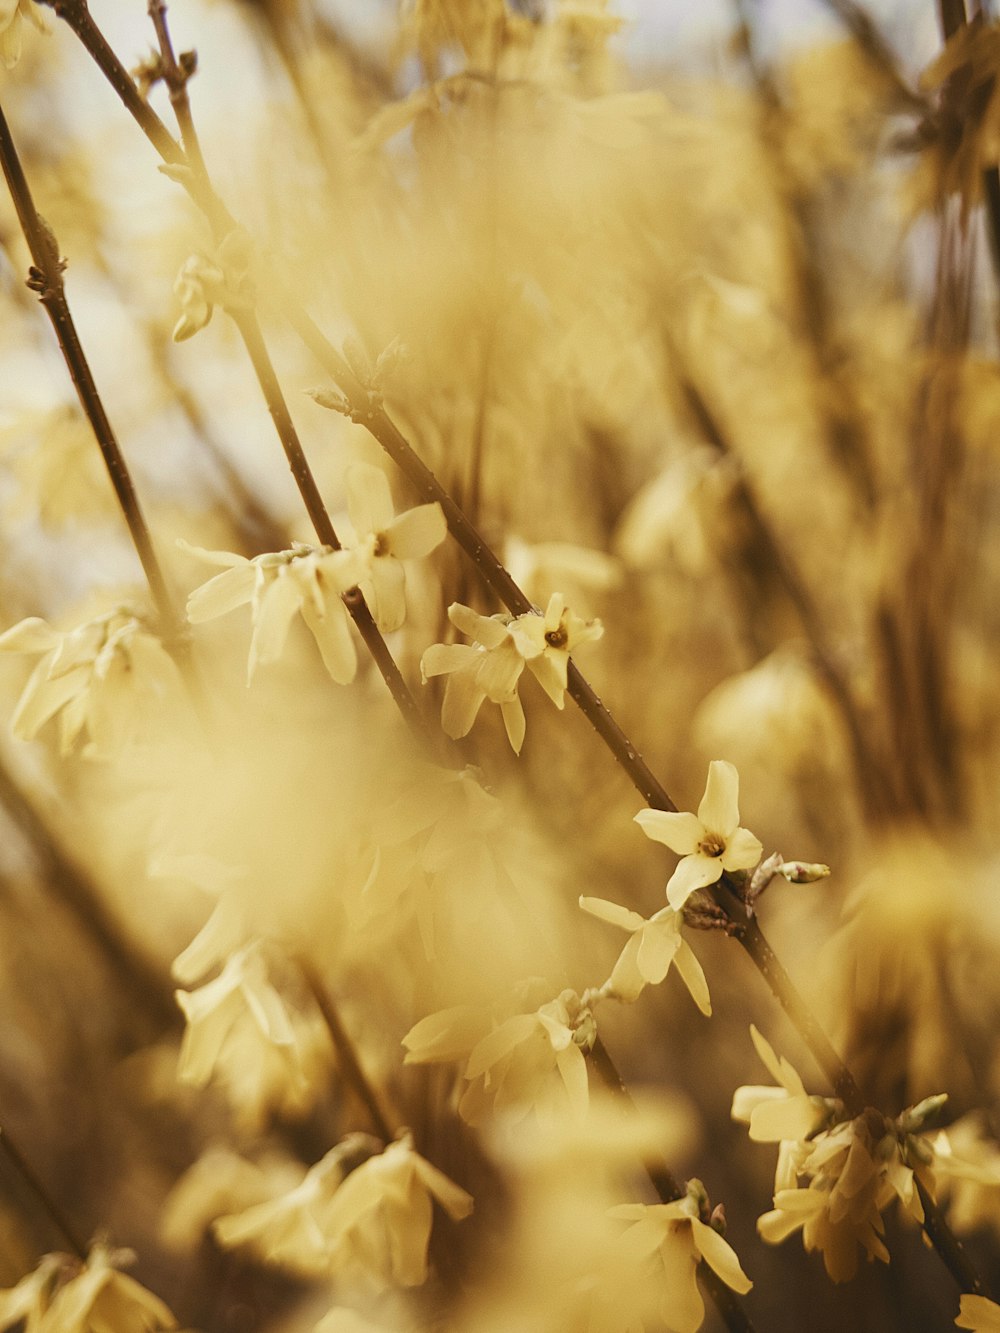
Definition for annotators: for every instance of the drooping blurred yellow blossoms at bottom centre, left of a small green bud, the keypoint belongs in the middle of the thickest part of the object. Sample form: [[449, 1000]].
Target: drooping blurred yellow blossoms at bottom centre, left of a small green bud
[[527, 1062]]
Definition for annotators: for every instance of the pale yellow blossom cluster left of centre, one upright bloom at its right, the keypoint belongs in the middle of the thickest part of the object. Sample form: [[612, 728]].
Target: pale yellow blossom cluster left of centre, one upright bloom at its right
[[313, 581]]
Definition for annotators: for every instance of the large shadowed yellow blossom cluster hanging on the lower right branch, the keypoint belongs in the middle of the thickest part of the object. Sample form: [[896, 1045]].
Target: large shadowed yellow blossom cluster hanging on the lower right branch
[[835, 1178]]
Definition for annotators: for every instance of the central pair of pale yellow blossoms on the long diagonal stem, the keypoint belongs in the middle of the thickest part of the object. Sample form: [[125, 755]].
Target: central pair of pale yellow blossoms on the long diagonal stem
[[491, 667]]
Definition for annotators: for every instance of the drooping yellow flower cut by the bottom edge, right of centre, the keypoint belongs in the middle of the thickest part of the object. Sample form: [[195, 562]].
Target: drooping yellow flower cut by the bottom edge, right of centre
[[674, 1239]]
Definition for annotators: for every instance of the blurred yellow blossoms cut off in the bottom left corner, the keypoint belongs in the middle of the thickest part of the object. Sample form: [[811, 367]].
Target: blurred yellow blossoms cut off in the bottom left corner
[[63, 1296]]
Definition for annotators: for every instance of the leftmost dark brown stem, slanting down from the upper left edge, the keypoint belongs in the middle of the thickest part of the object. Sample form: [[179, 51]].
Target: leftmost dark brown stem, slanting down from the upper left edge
[[47, 281]]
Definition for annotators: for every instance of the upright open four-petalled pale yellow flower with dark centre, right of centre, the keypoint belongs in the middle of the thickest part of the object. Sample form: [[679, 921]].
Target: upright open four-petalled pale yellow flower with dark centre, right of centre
[[710, 842]]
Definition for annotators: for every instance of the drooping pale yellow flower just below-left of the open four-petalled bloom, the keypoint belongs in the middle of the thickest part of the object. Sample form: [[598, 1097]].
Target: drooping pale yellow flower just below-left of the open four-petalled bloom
[[654, 946]]
